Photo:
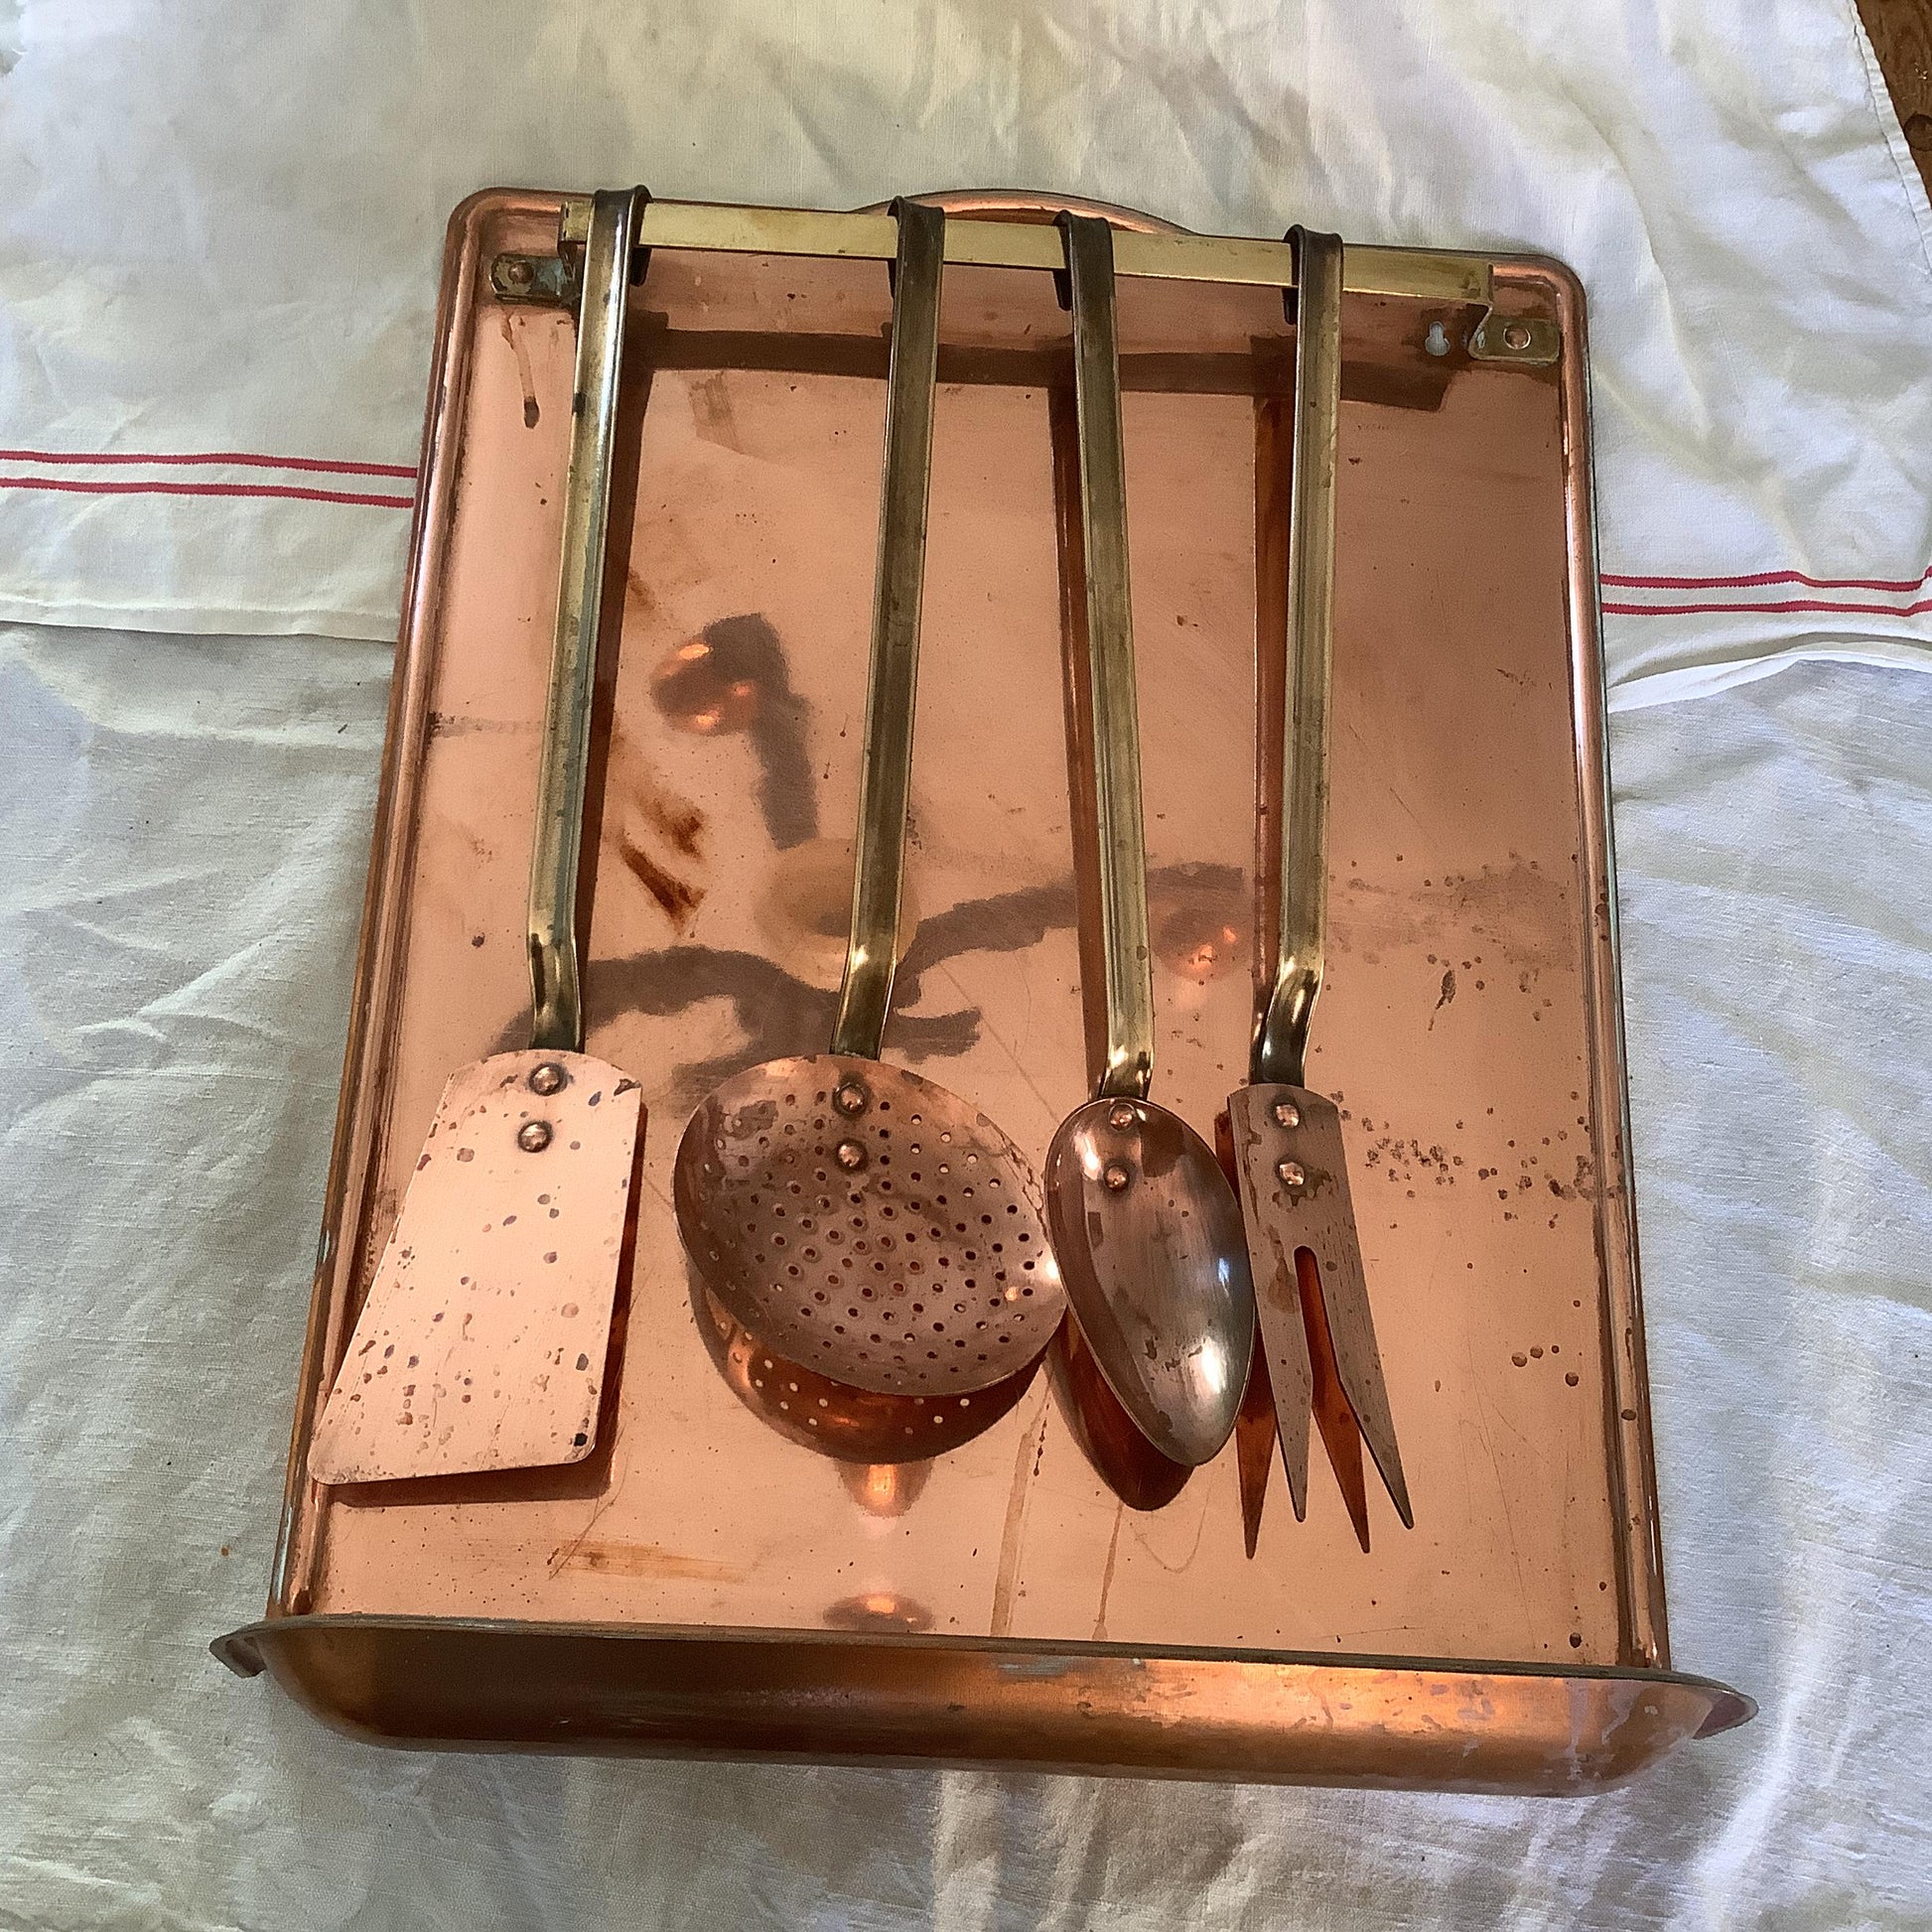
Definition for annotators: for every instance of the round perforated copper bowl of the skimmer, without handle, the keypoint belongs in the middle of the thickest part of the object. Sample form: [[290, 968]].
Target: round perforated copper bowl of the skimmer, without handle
[[923, 1270]]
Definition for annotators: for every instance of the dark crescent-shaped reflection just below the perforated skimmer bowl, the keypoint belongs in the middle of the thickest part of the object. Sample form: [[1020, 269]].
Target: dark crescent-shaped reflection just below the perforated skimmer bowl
[[851, 1425]]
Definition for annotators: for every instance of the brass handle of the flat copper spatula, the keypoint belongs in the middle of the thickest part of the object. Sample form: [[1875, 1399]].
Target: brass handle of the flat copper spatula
[[567, 714]]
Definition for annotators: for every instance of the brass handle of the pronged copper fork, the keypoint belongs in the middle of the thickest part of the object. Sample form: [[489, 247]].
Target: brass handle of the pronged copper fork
[[1282, 1033]]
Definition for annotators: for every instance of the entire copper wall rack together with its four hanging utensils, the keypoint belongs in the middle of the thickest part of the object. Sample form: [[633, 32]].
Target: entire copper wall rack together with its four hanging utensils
[[737, 1444]]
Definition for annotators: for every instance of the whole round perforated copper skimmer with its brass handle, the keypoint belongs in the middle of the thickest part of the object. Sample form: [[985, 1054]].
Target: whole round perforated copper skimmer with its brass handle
[[855, 1218]]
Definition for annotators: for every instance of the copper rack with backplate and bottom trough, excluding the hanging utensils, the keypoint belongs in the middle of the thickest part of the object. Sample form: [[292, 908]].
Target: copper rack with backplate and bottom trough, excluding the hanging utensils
[[708, 1585]]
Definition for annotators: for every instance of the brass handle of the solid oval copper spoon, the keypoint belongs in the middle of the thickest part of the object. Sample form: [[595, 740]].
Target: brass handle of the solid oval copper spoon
[[1123, 845]]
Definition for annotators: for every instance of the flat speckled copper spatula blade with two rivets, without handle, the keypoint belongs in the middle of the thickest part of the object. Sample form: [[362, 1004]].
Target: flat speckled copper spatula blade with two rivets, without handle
[[482, 1344]]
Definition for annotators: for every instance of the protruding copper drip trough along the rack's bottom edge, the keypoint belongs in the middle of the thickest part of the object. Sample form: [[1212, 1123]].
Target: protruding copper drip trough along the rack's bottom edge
[[948, 1701]]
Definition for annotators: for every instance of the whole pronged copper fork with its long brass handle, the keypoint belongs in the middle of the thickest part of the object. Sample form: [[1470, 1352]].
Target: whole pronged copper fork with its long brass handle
[[1311, 1292]]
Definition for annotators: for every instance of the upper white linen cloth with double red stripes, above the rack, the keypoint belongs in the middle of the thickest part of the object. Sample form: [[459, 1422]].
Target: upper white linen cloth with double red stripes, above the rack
[[221, 223]]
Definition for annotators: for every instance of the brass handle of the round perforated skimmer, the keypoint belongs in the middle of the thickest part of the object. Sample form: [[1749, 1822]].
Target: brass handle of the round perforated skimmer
[[886, 778]]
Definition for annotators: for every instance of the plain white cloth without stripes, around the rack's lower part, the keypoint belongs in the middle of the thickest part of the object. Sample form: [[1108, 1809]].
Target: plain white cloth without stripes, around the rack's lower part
[[188, 822]]
